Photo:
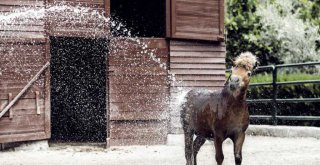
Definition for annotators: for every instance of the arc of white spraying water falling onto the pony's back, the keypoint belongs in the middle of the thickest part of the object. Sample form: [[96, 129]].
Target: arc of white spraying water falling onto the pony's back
[[18, 19]]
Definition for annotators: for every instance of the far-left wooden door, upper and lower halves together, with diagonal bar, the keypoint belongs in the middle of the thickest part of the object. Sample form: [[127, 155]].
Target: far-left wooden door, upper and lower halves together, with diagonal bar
[[23, 53]]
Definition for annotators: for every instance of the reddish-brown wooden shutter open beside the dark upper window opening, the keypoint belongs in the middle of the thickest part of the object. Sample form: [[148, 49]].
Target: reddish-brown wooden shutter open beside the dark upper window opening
[[197, 19]]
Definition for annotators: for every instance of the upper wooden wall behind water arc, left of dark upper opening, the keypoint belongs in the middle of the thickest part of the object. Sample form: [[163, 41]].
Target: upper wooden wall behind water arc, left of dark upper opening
[[62, 23]]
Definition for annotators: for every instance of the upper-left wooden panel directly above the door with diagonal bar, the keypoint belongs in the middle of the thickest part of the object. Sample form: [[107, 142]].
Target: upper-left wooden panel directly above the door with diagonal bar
[[19, 27]]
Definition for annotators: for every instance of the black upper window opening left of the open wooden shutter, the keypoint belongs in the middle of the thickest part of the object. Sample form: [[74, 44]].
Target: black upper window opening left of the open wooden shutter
[[144, 18]]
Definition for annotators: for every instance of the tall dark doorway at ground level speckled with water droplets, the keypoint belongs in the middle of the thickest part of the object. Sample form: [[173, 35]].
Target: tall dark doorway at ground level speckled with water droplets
[[78, 89]]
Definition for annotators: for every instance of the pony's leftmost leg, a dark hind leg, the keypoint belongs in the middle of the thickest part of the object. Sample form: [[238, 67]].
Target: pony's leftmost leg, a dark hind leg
[[188, 139]]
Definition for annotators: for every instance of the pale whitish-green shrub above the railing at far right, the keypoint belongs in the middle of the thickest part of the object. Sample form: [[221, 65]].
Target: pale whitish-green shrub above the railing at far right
[[296, 38]]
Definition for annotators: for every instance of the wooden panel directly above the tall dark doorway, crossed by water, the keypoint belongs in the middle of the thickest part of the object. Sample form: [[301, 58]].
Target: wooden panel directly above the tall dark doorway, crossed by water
[[86, 19]]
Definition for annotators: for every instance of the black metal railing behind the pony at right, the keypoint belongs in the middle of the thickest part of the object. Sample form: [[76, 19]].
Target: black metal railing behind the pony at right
[[274, 100]]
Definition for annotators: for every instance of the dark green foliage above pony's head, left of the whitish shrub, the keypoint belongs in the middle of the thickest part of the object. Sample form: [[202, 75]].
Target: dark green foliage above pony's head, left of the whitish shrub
[[243, 29]]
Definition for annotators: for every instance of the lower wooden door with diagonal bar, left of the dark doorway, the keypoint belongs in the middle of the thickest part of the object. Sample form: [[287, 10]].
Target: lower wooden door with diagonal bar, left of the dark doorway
[[29, 118]]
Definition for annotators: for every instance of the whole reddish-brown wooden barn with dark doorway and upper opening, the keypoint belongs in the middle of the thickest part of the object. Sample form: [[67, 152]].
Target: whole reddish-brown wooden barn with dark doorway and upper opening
[[69, 82]]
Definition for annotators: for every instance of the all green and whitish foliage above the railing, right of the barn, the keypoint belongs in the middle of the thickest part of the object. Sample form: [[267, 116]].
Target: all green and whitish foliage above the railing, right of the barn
[[277, 31]]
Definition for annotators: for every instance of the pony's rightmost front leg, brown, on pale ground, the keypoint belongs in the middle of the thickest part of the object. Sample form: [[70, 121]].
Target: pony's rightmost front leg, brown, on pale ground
[[238, 143]]
